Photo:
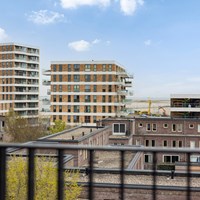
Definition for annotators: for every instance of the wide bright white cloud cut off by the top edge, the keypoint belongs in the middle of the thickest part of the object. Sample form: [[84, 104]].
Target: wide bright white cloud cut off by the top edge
[[76, 3]]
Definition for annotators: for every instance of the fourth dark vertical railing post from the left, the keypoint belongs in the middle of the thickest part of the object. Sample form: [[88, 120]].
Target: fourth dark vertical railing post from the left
[[91, 174]]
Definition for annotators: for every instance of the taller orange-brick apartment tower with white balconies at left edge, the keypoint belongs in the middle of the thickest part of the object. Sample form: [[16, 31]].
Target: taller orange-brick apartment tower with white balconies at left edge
[[19, 79]]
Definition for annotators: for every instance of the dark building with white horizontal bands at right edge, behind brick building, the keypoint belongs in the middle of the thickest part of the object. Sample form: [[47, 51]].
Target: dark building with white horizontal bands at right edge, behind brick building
[[185, 105]]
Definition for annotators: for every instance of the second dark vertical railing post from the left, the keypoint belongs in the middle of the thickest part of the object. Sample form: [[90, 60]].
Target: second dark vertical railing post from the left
[[31, 174]]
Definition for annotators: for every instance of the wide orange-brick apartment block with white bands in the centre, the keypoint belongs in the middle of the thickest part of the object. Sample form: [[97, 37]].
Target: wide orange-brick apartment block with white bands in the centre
[[83, 92]]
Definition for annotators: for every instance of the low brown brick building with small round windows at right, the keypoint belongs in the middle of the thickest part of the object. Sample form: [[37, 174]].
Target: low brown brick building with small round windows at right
[[167, 133]]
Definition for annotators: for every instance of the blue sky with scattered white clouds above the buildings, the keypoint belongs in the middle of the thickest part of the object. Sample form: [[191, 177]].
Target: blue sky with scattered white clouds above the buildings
[[158, 41]]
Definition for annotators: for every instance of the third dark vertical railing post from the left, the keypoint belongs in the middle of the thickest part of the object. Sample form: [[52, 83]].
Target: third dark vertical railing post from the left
[[60, 189]]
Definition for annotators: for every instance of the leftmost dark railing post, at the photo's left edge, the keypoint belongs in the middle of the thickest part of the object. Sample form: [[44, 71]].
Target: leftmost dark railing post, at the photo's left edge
[[2, 173]]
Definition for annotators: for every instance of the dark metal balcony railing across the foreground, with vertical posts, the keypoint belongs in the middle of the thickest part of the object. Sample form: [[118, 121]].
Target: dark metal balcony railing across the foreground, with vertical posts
[[6, 149]]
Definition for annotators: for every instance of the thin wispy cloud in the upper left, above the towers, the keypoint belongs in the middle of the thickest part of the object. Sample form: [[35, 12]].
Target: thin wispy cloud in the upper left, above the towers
[[45, 17]]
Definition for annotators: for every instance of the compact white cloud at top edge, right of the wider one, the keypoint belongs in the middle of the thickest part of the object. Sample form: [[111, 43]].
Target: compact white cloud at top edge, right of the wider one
[[128, 7]]
